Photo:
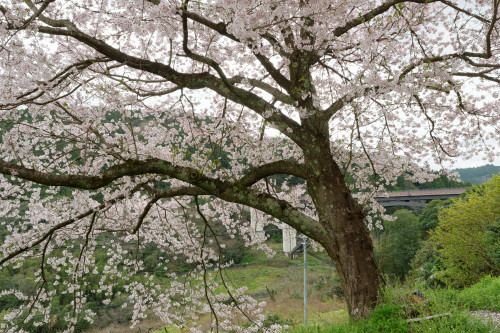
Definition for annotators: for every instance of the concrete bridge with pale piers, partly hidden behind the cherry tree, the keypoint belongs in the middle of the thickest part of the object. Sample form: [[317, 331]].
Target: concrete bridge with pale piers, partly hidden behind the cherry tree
[[412, 198]]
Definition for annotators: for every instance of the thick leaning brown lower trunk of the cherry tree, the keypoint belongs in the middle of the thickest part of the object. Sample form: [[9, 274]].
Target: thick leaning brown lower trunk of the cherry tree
[[347, 241]]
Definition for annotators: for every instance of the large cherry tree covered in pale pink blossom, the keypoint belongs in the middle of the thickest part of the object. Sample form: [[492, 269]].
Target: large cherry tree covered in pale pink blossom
[[309, 89]]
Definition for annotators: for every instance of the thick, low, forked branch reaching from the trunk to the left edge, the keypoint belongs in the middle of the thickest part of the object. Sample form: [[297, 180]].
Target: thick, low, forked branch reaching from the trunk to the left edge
[[237, 192]]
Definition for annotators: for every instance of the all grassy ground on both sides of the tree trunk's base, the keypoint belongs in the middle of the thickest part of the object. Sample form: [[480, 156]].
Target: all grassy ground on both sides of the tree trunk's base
[[279, 282]]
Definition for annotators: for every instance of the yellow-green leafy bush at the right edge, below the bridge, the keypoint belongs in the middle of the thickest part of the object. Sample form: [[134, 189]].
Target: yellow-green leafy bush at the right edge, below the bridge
[[465, 237]]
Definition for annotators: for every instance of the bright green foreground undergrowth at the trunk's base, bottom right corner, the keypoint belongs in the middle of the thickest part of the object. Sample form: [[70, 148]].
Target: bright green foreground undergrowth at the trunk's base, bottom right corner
[[400, 304]]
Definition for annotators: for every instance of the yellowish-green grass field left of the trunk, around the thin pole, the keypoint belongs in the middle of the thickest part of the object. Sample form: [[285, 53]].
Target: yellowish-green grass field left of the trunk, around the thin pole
[[279, 282]]
